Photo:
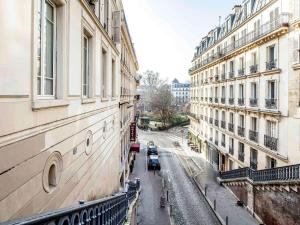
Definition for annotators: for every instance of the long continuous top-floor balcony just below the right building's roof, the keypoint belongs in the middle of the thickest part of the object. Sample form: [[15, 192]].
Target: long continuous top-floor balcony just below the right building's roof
[[251, 37]]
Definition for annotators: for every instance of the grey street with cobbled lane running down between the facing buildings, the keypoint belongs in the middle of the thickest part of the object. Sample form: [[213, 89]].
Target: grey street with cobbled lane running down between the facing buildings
[[188, 205]]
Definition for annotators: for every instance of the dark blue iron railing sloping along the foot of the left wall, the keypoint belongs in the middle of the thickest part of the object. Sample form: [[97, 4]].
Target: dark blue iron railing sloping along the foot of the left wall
[[111, 210]]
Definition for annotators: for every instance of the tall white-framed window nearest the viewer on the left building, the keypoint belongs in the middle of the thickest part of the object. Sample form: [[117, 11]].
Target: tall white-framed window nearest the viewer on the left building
[[46, 57]]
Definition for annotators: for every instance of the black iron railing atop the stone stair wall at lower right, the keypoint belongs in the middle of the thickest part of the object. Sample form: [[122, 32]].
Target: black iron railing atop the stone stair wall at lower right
[[286, 173]]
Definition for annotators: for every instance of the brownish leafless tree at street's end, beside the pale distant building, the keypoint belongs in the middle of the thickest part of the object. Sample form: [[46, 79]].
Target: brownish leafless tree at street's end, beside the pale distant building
[[161, 103]]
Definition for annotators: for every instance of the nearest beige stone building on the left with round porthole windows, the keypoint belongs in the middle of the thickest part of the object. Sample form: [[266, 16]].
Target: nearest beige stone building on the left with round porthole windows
[[60, 79]]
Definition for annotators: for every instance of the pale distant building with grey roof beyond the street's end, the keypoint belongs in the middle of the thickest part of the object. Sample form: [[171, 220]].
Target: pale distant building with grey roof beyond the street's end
[[181, 92]]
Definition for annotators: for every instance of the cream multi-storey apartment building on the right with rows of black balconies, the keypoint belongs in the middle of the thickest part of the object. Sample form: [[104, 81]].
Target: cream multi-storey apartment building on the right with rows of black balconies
[[245, 90]]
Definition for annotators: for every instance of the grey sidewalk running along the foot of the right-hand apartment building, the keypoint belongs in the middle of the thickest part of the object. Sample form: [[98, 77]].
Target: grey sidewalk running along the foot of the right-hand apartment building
[[225, 201]]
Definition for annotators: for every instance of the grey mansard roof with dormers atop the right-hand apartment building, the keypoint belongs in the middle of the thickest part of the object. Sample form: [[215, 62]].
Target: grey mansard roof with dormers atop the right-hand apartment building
[[239, 14]]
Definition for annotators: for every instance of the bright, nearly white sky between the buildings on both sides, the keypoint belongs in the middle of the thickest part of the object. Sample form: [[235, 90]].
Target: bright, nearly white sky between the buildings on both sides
[[166, 32]]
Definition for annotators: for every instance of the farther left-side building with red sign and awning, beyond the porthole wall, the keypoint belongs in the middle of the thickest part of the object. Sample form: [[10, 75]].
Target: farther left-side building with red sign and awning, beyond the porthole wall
[[128, 99]]
